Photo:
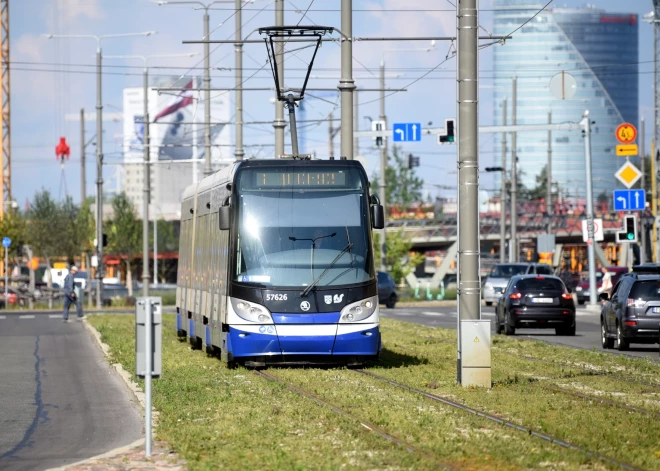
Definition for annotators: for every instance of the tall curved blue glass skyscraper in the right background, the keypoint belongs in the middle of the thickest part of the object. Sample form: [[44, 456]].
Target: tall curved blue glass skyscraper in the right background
[[600, 50]]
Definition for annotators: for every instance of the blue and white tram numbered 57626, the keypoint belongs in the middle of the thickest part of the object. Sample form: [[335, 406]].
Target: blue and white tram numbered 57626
[[276, 263]]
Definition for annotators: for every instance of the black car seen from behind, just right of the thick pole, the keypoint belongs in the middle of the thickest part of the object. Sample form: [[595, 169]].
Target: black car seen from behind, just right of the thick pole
[[535, 301]]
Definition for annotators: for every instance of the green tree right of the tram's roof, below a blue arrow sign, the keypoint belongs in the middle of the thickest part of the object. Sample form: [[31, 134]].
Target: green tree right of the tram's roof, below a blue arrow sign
[[402, 186]]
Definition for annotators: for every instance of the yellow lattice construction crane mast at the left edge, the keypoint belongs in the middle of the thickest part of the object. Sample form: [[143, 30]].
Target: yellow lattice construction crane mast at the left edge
[[5, 152]]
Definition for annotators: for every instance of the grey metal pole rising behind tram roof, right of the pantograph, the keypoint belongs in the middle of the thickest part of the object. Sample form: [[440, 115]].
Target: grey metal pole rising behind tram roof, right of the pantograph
[[346, 84]]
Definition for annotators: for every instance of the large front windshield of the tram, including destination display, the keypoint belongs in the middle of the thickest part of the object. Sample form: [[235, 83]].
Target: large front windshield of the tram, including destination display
[[294, 223]]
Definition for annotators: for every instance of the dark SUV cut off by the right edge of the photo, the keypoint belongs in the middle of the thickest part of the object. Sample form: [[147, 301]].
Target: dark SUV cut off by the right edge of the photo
[[632, 314]]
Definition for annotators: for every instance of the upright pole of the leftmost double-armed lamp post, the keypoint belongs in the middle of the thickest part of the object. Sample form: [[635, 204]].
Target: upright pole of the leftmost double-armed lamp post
[[99, 182]]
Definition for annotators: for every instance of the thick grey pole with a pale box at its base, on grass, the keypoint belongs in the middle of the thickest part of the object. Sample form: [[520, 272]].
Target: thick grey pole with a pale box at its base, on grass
[[469, 286]]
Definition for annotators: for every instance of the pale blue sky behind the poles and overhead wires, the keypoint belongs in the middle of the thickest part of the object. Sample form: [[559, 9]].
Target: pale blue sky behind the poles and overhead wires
[[44, 93]]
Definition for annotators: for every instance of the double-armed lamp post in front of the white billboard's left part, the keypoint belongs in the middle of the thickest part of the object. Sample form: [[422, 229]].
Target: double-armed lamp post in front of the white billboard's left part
[[147, 172]]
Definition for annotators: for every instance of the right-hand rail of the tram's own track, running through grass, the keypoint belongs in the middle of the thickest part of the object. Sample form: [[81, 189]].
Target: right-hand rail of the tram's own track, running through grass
[[502, 421]]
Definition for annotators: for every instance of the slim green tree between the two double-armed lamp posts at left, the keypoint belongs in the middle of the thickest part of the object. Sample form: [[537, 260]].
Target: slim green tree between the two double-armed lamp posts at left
[[125, 234]]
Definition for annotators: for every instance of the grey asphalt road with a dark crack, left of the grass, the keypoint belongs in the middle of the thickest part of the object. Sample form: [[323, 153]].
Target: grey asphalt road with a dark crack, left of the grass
[[60, 401]]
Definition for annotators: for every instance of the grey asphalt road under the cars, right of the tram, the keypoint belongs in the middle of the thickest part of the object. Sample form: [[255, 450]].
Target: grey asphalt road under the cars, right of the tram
[[587, 335]]
